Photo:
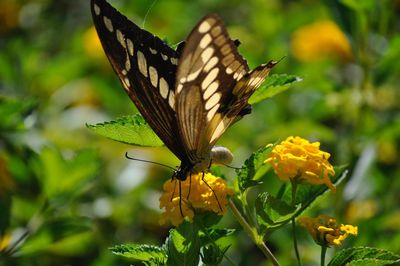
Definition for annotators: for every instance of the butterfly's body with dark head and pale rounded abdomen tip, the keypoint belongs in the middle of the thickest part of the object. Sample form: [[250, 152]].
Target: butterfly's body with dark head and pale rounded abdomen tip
[[219, 155]]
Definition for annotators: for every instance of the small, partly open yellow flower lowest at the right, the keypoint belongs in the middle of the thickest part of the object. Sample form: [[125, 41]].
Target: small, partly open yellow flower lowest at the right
[[325, 232]]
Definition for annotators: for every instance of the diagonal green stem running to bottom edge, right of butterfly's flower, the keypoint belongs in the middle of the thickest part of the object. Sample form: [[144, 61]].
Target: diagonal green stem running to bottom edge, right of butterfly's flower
[[253, 234]]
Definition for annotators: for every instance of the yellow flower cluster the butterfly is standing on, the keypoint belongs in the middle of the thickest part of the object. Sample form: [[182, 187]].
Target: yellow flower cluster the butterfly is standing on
[[196, 196]]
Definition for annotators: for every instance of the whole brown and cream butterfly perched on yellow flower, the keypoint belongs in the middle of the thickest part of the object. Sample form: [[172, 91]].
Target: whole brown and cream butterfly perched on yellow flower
[[189, 95]]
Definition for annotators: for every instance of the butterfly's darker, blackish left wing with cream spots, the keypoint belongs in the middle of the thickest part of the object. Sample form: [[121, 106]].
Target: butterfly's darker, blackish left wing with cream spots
[[146, 67]]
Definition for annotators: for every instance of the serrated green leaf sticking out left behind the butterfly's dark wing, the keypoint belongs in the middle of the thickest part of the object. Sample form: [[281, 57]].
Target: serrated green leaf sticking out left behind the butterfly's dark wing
[[132, 130]]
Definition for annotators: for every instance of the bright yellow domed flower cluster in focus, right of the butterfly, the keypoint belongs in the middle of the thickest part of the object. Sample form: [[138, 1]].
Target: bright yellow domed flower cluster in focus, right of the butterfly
[[296, 159]]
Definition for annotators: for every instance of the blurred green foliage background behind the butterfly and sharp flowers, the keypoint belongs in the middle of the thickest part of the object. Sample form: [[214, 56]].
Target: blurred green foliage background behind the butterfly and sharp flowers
[[66, 194]]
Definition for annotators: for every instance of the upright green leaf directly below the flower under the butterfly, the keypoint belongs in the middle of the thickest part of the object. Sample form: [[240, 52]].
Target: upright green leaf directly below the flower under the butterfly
[[184, 245]]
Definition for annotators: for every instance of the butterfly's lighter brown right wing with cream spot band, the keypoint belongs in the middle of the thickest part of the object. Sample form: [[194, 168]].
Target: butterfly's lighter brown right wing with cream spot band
[[213, 86]]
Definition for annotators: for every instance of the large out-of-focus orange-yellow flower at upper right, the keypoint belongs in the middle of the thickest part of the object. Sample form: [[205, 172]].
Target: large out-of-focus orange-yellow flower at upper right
[[320, 40]]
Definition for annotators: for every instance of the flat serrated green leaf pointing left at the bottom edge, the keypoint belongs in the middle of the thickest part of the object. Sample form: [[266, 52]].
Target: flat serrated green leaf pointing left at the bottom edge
[[141, 252]]
